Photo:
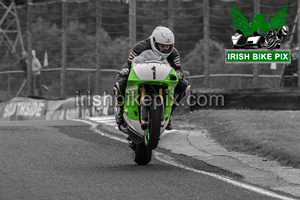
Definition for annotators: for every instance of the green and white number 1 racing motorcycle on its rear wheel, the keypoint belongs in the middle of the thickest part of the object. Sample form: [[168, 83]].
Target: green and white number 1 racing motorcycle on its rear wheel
[[148, 104]]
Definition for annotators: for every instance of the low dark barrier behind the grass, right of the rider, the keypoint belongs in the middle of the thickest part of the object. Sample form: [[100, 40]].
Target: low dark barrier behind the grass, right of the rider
[[253, 100]]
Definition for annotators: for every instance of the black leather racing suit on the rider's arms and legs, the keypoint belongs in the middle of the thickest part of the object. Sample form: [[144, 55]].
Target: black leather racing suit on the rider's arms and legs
[[173, 59]]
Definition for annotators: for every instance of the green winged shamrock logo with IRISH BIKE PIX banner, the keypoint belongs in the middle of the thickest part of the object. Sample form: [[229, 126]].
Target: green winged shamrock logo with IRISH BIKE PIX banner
[[259, 41]]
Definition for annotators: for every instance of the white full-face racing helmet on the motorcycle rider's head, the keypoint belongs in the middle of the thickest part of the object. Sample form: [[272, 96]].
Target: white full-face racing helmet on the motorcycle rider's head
[[164, 36]]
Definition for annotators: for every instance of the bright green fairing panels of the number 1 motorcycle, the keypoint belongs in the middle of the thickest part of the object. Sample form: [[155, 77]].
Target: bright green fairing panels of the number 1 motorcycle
[[131, 108]]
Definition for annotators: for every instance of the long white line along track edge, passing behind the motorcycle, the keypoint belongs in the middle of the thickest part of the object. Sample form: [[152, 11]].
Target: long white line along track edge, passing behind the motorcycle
[[169, 160]]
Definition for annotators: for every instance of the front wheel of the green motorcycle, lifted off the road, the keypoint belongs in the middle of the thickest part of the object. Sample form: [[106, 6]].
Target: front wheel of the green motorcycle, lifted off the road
[[152, 136]]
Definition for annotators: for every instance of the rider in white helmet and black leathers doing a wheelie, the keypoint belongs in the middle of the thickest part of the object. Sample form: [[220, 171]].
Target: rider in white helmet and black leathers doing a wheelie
[[161, 42]]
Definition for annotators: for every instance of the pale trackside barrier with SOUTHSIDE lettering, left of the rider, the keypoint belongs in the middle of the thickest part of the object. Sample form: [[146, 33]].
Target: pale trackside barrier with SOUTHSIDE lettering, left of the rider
[[20, 108]]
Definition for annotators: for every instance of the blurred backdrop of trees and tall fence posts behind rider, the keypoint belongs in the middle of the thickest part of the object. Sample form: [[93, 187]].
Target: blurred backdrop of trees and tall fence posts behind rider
[[82, 44]]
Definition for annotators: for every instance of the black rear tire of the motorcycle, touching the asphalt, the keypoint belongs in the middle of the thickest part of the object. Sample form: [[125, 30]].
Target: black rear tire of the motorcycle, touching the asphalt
[[142, 155]]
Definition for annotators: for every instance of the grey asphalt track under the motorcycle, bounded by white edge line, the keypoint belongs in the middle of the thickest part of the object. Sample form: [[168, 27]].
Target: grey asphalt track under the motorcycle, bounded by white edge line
[[66, 160]]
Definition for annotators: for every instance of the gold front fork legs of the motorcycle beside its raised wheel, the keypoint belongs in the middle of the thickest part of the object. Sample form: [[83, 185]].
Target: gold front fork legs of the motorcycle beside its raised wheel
[[146, 106]]
